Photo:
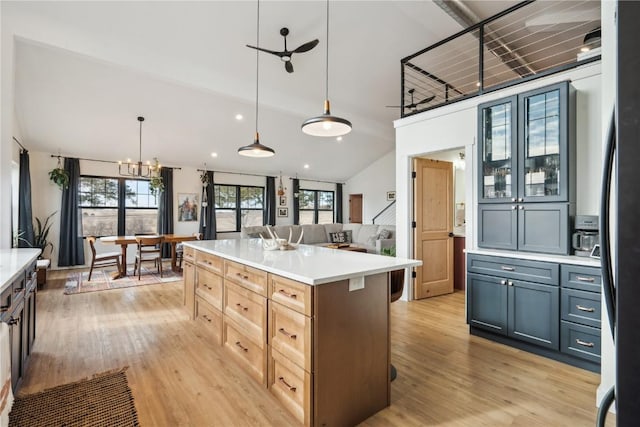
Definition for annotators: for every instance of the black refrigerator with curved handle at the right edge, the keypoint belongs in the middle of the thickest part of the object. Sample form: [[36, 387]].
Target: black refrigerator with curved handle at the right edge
[[624, 288]]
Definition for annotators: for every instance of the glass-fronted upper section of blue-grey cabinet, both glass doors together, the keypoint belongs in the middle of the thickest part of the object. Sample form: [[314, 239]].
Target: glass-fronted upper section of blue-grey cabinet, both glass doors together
[[526, 147]]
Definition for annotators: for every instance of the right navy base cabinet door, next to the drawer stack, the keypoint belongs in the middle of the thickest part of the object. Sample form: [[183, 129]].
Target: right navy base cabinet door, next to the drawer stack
[[534, 313]]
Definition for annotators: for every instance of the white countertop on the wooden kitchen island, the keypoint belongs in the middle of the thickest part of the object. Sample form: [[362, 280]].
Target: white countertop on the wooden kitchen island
[[313, 265]]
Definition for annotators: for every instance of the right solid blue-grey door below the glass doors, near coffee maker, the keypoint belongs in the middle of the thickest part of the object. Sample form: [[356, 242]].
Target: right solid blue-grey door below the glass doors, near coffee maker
[[543, 227]]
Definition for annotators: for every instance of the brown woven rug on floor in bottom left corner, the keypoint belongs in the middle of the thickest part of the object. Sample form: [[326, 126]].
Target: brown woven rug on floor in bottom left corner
[[104, 400]]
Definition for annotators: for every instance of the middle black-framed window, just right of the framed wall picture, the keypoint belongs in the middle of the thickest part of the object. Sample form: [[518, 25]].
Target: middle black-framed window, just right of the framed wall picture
[[237, 206]]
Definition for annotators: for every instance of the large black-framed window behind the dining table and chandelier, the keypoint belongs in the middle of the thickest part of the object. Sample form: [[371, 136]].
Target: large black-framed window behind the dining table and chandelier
[[117, 206]]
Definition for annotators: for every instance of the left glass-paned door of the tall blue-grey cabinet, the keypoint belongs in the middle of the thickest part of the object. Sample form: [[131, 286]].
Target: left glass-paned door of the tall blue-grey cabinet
[[497, 137]]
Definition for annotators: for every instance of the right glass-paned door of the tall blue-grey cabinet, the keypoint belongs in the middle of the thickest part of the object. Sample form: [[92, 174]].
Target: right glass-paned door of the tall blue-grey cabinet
[[543, 121]]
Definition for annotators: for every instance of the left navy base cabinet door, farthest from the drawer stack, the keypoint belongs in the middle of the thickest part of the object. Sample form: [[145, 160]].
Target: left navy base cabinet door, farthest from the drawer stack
[[487, 302]]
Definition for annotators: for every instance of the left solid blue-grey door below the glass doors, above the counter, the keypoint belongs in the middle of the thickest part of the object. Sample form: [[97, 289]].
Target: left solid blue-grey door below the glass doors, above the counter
[[498, 226]]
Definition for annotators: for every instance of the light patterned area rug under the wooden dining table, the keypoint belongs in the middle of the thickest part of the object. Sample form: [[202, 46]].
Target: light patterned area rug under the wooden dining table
[[77, 282]]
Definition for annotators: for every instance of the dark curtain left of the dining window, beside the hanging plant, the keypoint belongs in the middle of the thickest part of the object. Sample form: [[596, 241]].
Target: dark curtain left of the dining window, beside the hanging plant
[[71, 246]]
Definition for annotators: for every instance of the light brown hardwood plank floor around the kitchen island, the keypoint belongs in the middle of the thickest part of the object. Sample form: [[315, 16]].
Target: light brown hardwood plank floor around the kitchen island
[[445, 376]]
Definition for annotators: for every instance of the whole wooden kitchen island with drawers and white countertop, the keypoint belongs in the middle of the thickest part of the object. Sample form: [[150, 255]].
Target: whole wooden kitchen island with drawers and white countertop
[[311, 324]]
